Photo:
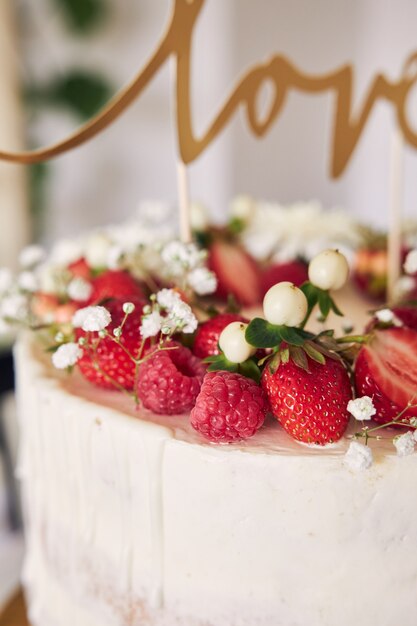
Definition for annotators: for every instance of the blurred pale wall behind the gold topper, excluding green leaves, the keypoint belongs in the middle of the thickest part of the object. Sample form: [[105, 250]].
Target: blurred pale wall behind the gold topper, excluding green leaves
[[135, 158]]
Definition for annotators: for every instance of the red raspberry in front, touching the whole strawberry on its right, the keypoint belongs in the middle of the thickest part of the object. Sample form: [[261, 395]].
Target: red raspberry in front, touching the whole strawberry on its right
[[229, 407]]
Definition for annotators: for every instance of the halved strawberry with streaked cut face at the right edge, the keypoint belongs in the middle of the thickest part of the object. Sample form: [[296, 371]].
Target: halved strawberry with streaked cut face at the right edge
[[386, 370]]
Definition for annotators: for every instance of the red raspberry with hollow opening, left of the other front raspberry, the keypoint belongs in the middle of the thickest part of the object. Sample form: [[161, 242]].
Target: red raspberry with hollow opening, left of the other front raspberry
[[169, 381]]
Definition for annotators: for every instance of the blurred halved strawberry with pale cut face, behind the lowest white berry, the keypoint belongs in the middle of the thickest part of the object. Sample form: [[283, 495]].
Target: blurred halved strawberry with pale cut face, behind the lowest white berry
[[237, 273]]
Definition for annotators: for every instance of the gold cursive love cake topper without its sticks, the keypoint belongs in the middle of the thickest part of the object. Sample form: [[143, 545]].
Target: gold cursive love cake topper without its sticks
[[348, 125]]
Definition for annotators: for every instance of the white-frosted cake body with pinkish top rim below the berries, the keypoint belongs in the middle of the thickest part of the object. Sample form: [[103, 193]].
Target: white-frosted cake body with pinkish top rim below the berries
[[132, 519]]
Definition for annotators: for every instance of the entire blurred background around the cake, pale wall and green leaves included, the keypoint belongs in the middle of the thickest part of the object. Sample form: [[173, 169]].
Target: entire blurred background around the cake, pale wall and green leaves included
[[61, 60]]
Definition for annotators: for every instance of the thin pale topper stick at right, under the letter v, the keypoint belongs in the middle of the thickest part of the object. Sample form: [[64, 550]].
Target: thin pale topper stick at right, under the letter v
[[395, 210]]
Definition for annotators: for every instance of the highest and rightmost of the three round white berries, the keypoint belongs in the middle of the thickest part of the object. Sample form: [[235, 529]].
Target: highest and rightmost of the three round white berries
[[328, 270]]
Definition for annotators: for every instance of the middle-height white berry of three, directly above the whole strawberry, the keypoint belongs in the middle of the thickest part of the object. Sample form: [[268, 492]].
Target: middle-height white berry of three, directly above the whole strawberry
[[285, 304]]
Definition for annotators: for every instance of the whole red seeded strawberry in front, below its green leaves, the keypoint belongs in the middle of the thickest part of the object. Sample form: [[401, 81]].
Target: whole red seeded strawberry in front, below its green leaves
[[310, 405]]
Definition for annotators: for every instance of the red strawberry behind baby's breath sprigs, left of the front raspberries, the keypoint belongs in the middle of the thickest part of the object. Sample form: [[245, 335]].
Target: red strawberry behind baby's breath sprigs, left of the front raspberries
[[106, 364]]
